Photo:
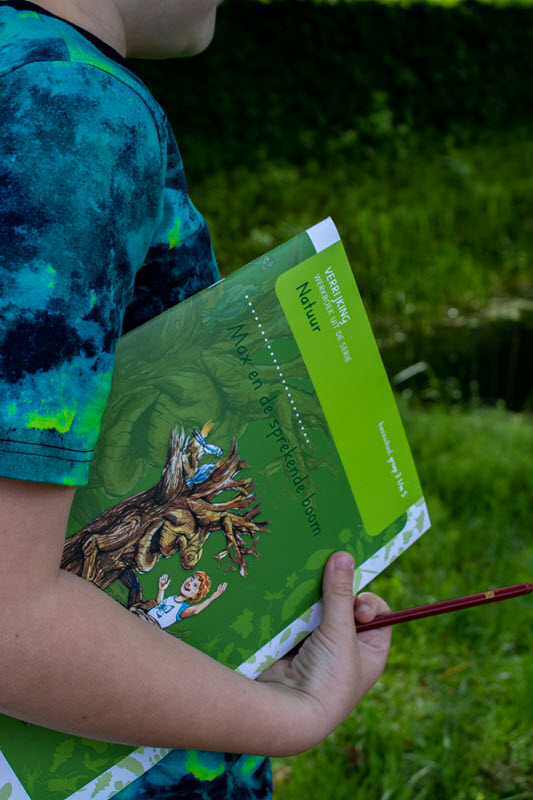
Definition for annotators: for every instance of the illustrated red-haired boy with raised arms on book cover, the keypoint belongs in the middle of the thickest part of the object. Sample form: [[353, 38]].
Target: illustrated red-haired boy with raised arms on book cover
[[166, 611]]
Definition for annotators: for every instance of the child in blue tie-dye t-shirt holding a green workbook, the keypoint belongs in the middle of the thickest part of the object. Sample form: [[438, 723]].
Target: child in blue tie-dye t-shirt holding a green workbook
[[98, 235]]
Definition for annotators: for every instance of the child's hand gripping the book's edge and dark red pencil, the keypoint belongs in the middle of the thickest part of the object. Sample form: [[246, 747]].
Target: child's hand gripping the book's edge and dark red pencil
[[335, 668]]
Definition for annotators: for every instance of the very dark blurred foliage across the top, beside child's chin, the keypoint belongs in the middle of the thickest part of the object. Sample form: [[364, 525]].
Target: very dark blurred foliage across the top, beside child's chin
[[292, 81]]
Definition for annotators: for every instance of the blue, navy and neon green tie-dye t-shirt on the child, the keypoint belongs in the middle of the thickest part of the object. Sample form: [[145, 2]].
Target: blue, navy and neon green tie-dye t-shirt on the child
[[97, 235]]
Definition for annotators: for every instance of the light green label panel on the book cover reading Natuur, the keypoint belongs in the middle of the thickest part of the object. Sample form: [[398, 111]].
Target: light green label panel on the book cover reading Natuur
[[326, 314]]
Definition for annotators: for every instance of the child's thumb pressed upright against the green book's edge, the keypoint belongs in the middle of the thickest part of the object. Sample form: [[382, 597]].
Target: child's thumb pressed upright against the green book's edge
[[337, 590]]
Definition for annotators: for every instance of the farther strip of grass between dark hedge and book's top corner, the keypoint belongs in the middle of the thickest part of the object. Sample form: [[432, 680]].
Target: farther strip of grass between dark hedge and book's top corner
[[449, 228]]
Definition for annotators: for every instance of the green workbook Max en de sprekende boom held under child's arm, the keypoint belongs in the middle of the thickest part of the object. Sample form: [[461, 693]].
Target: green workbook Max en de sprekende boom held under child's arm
[[250, 432]]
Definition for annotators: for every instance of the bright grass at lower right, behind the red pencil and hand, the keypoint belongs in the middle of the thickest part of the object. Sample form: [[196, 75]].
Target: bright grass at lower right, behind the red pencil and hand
[[451, 717]]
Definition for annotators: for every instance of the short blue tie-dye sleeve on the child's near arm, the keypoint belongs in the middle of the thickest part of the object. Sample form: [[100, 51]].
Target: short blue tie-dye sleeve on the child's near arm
[[81, 185]]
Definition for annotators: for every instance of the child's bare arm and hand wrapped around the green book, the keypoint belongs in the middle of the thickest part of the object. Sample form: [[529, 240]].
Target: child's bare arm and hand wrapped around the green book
[[74, 659]]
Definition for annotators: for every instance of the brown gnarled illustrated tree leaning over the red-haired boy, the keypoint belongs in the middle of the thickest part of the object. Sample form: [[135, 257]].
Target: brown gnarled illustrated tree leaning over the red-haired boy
[[176, 515]]
